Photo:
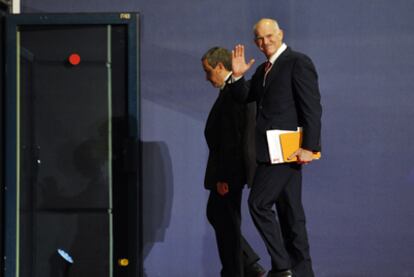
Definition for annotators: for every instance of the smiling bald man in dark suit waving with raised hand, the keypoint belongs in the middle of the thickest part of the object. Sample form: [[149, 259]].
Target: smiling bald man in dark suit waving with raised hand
[[286, 92]]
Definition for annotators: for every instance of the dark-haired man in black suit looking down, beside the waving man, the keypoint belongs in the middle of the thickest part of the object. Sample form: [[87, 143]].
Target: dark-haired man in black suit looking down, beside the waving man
[[225, 174]]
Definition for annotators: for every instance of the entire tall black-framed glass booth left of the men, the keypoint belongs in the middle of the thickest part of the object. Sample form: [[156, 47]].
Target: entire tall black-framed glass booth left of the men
[[68, 115]]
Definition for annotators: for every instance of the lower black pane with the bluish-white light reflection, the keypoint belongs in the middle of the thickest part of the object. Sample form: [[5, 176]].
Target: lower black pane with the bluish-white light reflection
[[79, 235]]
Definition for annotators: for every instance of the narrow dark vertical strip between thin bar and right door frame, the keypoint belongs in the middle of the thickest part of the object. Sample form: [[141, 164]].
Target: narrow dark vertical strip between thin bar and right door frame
[[124, 232]]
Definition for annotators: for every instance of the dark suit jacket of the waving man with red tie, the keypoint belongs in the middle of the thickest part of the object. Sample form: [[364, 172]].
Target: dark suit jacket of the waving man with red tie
[[290, 98]]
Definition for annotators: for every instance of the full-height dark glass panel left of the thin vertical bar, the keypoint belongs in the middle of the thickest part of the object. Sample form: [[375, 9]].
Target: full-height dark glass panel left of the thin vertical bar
[[65, 151]]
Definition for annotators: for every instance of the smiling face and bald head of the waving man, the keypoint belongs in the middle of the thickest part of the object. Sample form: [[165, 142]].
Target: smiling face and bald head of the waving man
[[268, 38]]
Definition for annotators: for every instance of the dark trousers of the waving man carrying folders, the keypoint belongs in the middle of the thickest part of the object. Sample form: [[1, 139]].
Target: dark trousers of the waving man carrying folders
[[280, 187]]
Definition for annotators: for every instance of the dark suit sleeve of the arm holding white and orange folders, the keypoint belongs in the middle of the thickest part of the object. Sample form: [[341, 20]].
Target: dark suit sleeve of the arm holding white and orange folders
[[307, 99]]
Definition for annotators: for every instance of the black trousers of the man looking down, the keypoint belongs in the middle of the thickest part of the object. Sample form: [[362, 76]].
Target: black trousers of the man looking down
[[223, 212]]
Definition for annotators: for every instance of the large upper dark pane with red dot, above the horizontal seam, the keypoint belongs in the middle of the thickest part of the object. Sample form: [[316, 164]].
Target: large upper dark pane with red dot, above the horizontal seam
[[64, 118]]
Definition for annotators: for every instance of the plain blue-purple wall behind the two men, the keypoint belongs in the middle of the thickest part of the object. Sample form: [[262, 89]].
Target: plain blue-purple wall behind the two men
[[358, 198]]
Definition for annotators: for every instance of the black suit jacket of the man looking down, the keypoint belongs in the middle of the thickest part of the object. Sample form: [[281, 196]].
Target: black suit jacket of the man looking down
[[224, 135]]
